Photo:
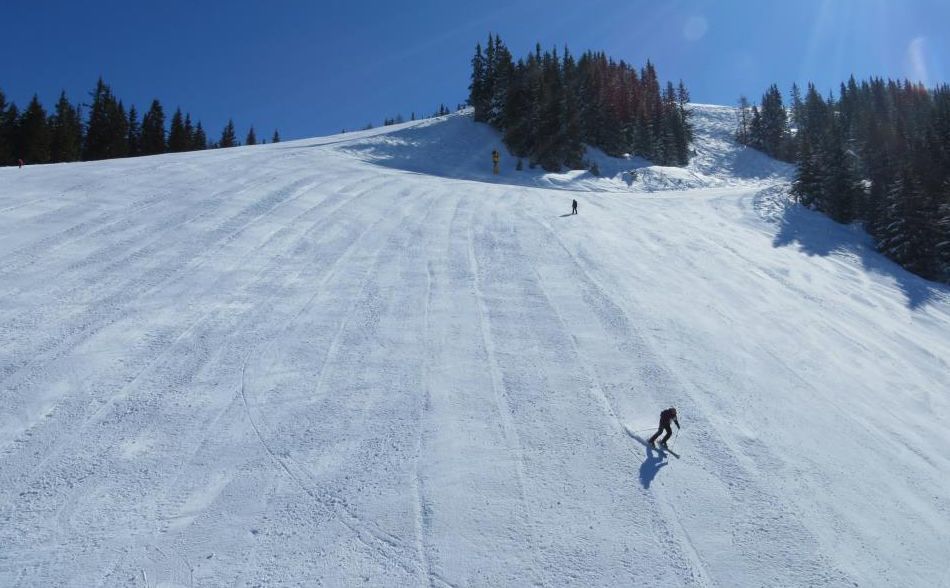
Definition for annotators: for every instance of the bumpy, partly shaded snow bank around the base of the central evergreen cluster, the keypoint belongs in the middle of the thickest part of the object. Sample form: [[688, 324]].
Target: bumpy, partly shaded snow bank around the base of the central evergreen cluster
[[456, 147]]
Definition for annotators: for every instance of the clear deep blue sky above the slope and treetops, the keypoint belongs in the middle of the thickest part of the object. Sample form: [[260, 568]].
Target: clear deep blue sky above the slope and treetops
[[311, 68]]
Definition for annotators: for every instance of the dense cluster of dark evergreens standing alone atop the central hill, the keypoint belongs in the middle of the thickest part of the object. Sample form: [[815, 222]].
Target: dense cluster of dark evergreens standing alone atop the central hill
[[550, 105]]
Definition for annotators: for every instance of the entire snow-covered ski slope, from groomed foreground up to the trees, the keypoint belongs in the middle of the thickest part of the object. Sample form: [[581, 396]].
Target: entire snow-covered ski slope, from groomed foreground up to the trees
[[365, 360]]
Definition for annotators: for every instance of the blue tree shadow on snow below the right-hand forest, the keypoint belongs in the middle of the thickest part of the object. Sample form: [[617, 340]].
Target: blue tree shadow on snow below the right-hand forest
[[816, 234]]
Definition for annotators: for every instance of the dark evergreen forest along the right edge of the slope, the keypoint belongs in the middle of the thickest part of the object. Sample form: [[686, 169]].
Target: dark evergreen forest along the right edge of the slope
[[878, 153]]
